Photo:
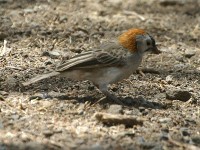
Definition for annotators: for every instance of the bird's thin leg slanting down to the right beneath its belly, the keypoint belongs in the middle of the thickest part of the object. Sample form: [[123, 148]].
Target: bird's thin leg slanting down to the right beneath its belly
[[108, 95]]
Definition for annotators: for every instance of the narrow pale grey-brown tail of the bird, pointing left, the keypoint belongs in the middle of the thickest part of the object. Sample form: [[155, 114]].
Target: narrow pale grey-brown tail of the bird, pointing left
[[40, 77]]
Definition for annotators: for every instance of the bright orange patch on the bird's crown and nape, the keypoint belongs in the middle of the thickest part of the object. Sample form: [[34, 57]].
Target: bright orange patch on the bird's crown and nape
[[127, 39]]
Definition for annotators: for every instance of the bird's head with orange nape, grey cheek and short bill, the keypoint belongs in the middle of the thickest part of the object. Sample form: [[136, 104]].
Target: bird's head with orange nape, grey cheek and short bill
[[138, 40]]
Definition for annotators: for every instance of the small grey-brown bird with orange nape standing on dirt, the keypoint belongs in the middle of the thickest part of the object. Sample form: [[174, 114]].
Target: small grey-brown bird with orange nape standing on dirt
[[109, 63]]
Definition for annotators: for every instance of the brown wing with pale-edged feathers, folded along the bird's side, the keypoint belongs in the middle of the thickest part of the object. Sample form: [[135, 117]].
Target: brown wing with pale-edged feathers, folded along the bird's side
[[108, 54]]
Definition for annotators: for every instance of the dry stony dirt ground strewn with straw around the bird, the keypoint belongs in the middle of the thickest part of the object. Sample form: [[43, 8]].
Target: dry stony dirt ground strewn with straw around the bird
[[57, 113]]
